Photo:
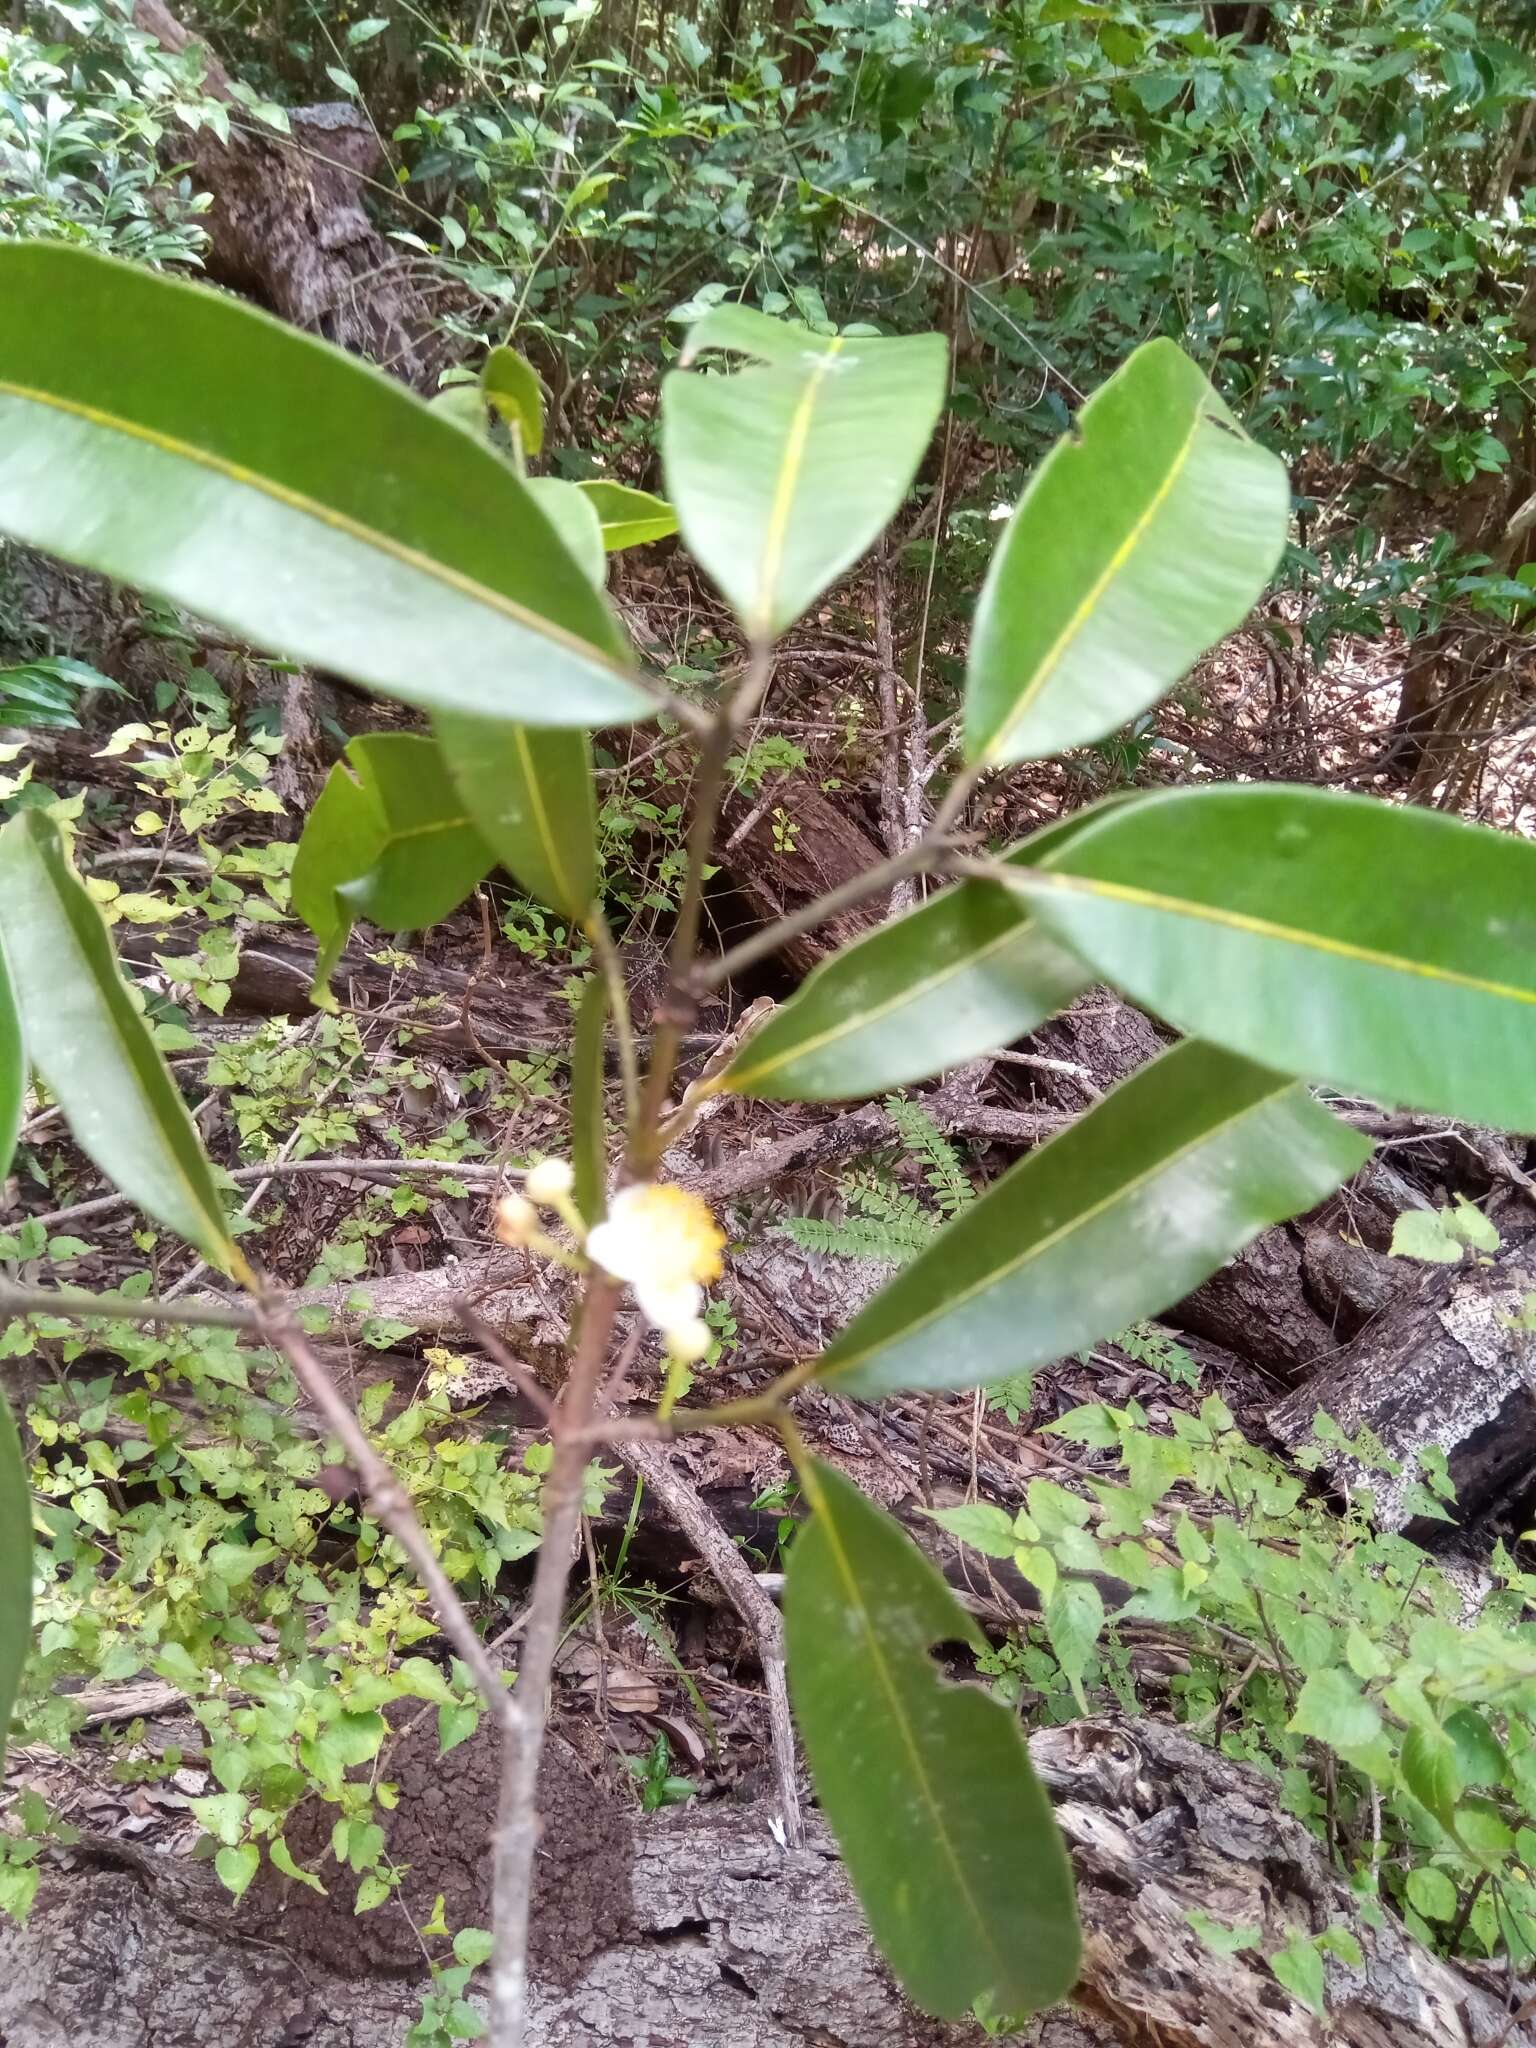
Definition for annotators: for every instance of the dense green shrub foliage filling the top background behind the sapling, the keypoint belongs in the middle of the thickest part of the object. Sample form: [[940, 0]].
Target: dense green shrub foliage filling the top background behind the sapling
[[1324, 202]]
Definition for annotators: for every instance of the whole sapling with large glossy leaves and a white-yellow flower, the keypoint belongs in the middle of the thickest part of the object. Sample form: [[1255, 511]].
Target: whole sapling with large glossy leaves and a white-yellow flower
[[1293, 937]]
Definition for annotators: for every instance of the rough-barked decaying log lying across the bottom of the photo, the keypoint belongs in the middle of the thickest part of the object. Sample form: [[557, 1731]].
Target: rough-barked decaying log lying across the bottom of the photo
[[714, 1936]]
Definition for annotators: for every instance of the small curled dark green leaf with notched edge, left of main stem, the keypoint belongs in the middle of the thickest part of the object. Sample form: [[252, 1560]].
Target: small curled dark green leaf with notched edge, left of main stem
[[390, 841]]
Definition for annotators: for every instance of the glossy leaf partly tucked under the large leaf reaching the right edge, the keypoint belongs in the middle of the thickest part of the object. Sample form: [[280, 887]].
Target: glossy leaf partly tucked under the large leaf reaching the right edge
[[951, 980]]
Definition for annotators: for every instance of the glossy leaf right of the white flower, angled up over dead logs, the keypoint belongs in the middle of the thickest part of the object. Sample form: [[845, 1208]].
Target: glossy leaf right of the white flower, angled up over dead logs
[[1121, 1215]]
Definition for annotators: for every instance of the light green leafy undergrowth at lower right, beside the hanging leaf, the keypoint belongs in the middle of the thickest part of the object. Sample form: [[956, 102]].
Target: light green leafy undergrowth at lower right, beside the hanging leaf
[[1328, 1654]]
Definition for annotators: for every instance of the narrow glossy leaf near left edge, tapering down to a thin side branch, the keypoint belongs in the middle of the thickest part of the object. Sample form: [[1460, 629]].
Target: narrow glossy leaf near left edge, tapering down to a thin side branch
[[91, 1046]]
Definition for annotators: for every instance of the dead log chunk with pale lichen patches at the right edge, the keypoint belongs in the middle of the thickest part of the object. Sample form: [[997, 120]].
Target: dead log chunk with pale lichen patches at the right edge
[[1445, 1369]]
